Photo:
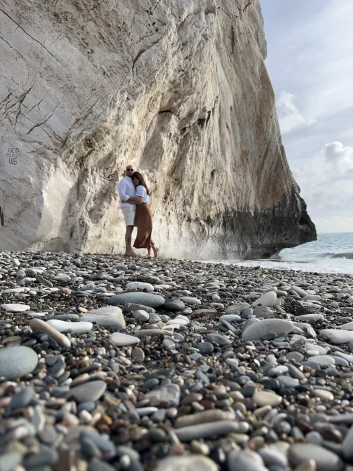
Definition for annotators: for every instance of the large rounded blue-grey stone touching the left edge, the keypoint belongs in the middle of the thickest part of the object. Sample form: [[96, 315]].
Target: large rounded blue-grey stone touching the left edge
[[16, 362]]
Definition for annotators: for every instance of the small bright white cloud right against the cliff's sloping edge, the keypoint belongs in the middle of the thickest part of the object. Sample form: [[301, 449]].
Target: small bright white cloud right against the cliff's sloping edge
[[289, 115]]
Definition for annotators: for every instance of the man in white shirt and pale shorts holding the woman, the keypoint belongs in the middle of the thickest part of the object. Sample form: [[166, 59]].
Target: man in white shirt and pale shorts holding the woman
[[127, 195]]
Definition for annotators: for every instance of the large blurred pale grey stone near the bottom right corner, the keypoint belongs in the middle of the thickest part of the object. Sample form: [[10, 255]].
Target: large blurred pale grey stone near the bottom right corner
[[325, 460]]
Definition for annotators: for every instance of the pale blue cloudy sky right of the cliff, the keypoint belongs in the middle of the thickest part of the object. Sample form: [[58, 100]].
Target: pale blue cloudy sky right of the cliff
[[310, 63]]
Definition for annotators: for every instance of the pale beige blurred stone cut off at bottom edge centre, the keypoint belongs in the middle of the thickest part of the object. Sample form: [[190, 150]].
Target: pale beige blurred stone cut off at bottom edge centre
[[186, 463]]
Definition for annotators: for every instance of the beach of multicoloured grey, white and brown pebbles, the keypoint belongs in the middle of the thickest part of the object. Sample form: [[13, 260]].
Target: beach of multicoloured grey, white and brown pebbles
[[113, 363]]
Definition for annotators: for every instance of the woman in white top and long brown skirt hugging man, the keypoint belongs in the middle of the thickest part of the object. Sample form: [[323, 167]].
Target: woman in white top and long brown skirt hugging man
[[143, 218]]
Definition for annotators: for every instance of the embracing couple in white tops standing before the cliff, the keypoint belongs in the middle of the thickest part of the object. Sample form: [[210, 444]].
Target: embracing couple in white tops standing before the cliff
[[134, 196]]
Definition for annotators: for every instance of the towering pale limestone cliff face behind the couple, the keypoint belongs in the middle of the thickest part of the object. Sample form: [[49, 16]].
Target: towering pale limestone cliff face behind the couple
[[178, 89]]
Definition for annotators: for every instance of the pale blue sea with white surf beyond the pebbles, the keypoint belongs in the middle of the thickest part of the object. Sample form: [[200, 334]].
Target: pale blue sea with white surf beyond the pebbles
[[330, 253]]
